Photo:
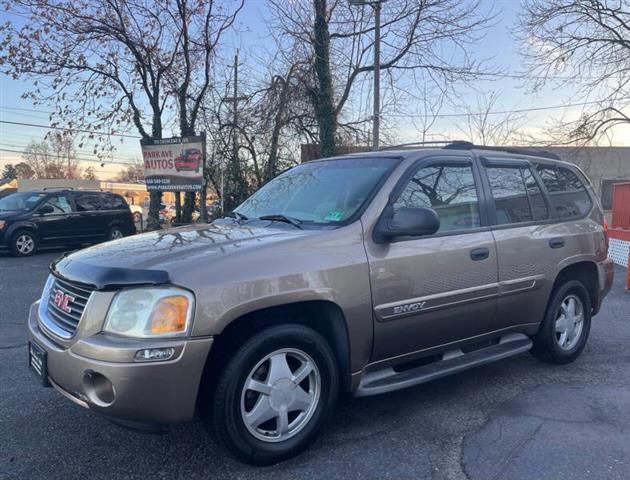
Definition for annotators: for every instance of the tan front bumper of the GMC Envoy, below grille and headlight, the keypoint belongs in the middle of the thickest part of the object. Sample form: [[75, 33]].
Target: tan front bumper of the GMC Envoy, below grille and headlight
[[98, 372]]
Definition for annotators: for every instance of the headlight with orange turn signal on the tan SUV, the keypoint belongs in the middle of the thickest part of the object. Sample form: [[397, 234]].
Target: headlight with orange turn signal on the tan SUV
[[150, 312]]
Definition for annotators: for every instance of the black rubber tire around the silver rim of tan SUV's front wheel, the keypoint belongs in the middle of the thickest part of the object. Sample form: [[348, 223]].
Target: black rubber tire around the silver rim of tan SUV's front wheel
[[226, 419]]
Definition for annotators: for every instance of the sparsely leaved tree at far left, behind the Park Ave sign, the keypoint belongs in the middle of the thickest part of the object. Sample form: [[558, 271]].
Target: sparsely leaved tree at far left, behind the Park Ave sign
[[101, 65]]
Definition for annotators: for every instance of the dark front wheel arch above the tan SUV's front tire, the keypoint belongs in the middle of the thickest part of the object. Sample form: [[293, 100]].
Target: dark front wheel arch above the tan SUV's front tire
[[323, 316]]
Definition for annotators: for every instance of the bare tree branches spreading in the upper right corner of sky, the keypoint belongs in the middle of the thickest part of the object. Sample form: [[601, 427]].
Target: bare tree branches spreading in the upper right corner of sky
[[584, 45]]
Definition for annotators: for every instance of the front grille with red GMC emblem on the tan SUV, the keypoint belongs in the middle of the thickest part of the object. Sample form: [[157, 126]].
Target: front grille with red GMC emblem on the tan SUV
[[66, 303]]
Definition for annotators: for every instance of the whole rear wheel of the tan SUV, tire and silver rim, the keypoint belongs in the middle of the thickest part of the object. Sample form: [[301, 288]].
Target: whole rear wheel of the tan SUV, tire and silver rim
[[565, 328]]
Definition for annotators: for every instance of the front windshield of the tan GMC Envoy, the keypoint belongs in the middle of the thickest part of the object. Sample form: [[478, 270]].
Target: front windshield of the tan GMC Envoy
[[324, 192]]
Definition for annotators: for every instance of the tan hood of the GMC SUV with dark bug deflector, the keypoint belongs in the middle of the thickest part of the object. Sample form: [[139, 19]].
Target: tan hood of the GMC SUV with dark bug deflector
[[149, 257]]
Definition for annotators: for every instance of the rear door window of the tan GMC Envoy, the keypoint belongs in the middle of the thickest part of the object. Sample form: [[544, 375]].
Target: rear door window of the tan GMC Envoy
[[517, 196]]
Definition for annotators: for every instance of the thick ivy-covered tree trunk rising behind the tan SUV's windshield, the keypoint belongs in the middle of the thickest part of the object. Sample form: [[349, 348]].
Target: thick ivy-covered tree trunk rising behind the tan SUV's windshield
[[323, 97]]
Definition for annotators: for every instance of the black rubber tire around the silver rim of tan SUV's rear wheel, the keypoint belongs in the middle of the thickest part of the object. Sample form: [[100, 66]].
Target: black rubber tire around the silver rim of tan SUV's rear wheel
[[546, 343]]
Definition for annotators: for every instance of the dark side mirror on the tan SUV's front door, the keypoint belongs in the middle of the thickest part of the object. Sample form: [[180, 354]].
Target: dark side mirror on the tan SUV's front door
[[408, 222]]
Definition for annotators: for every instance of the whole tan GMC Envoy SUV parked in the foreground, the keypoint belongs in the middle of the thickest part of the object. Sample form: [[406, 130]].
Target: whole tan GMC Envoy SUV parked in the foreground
[[364, 273]]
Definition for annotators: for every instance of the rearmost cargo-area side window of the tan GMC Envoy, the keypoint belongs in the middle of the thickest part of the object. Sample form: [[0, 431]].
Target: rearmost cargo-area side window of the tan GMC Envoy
[[567, 191]]
